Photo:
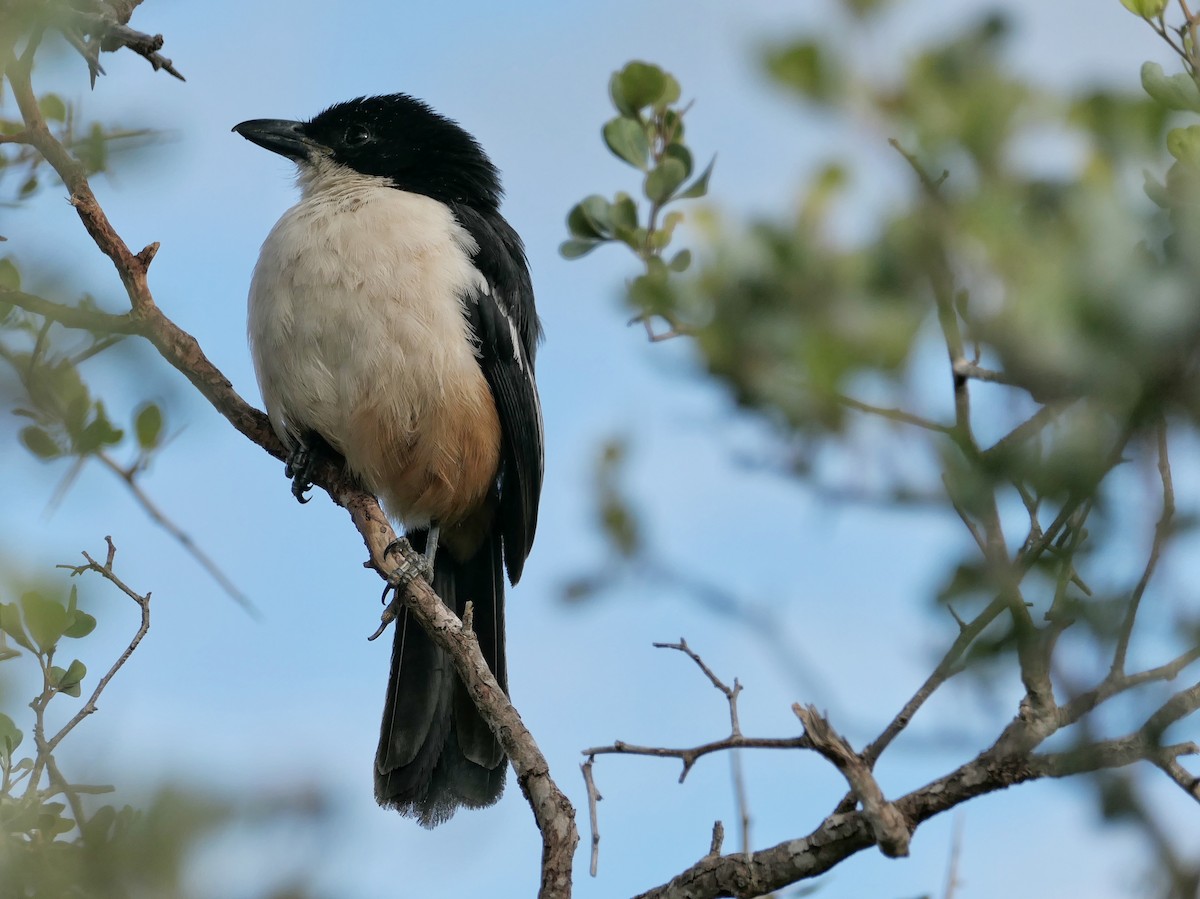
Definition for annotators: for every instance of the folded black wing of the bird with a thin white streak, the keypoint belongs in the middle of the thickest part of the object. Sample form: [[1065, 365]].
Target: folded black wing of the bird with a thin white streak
[[506, 325]]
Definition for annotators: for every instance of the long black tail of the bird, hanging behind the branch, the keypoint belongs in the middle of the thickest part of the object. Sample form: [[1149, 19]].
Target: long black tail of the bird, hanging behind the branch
[[436, 753]]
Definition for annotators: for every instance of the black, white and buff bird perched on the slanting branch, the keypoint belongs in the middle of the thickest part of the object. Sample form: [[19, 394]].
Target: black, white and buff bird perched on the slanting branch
[[393, 327]]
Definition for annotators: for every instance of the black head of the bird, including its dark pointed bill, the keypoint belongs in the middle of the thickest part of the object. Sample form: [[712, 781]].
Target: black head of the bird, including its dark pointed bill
[[395, 137]]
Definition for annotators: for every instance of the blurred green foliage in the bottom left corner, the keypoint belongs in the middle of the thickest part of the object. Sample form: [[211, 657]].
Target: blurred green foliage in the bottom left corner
[[57, 838]]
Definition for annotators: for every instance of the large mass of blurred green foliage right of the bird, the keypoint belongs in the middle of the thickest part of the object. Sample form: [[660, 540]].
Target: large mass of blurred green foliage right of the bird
[[999, 325]]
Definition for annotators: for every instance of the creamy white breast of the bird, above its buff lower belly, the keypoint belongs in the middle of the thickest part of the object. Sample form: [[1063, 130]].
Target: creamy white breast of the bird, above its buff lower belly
[[357, 302]]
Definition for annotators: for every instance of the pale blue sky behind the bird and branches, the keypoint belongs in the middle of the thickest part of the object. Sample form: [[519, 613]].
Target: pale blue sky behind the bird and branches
[[239, 704]]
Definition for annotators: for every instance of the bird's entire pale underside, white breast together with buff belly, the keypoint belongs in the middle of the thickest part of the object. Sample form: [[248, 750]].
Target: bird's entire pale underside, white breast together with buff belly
[[358, 332]]
